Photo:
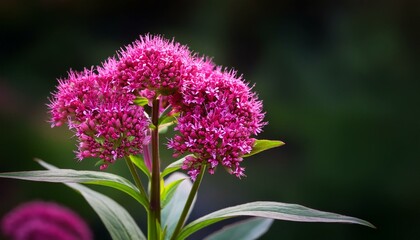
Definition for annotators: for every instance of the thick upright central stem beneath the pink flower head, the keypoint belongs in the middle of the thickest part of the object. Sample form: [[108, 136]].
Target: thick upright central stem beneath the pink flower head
[[155, 184]]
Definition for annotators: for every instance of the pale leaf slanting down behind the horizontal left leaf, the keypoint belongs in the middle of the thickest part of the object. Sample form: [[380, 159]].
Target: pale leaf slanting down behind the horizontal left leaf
[[117, 220]]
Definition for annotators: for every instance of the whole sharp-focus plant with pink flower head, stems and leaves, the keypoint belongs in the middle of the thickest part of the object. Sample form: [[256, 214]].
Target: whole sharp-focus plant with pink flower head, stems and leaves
[[119, 109]]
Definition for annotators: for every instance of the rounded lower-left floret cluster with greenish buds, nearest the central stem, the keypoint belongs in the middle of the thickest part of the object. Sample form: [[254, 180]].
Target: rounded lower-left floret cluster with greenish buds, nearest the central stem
[[112, 131]]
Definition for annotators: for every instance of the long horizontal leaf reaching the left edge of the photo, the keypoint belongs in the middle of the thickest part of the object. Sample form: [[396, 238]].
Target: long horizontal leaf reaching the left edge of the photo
[[87, 177]]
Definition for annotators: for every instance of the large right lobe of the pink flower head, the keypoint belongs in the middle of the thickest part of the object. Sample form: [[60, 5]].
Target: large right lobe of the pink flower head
[[219, 114]]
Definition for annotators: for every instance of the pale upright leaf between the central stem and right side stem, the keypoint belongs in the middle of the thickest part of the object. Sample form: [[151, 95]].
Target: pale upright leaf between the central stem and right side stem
[[173, 209]]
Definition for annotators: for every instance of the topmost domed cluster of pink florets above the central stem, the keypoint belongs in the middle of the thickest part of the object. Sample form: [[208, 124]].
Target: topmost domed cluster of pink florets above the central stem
[[153, 63]]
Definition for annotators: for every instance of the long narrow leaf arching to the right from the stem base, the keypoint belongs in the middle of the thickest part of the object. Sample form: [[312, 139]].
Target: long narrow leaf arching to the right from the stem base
[[273, 210]]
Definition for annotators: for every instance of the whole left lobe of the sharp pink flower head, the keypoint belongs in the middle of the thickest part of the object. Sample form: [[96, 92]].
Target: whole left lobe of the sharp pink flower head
[[106, 123]]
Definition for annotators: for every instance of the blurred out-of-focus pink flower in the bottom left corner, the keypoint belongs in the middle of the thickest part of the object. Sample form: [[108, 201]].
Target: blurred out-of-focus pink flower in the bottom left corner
[[44, 221]]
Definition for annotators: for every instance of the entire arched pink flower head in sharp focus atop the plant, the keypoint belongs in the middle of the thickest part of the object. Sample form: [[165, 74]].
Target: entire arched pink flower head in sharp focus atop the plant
[[218, 112]]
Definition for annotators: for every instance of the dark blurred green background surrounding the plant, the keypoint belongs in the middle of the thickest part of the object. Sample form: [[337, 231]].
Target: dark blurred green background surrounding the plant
[[338, 80]]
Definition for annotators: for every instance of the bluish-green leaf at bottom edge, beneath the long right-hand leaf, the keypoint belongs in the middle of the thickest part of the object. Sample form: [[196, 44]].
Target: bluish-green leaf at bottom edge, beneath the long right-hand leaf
[[249, 229]]
